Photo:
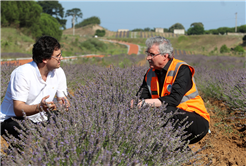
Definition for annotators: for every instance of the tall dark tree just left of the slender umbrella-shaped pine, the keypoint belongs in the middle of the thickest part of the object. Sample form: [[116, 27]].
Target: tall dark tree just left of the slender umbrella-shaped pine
[[55, 9]]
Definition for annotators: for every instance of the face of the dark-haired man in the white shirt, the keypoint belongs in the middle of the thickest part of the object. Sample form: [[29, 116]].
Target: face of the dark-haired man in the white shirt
[[55, 61]]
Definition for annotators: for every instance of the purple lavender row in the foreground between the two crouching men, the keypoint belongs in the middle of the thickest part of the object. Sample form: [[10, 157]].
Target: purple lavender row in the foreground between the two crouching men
[[100, 128]]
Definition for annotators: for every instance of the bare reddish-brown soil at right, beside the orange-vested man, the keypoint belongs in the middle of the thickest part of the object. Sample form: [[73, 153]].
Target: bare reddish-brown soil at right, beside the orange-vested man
[[226, 144]]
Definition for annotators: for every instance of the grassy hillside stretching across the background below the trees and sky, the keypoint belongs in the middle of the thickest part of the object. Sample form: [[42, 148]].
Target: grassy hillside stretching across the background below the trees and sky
[[13, 41]]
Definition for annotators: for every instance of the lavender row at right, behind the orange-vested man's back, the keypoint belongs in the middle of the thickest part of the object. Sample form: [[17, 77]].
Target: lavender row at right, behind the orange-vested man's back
[[221, 78]]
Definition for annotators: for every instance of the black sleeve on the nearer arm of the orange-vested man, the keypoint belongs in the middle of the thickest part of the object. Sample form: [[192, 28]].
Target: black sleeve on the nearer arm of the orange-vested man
[[182, 84]]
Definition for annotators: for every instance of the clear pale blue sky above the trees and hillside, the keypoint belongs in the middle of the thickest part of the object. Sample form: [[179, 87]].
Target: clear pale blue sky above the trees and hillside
[[131, 14]]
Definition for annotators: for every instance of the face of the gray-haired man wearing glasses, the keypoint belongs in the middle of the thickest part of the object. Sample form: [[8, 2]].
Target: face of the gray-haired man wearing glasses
[[158, 61]]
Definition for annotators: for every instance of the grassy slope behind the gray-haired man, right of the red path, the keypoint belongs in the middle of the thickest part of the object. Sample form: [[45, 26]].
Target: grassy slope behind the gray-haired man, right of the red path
[[199, 44]]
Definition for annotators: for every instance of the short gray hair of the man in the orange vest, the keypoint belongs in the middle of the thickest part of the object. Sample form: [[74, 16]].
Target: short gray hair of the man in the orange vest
[[165, 47]]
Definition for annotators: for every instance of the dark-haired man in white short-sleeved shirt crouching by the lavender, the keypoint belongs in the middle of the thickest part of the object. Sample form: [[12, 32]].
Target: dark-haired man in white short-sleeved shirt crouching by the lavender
[[33, 86]]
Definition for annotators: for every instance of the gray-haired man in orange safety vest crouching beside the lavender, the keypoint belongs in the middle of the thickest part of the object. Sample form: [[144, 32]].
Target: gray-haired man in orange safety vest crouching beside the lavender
[[171, 81]]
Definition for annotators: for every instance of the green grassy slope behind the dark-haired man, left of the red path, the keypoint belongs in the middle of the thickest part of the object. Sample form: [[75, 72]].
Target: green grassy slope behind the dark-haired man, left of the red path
[[13, 41]]
